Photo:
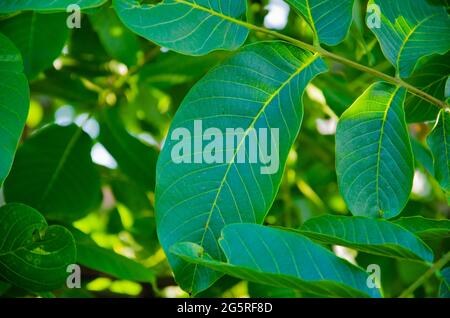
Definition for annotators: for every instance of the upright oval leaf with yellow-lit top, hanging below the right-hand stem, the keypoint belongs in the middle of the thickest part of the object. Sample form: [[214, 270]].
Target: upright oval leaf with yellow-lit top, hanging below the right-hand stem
[[374, 161]]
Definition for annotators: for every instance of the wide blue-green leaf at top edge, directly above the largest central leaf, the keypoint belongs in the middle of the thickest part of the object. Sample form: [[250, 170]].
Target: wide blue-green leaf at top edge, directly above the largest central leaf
[[187, 26]]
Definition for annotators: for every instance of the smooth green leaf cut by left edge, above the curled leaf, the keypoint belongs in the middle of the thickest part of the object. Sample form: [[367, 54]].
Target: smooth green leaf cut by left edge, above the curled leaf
[[14, 102]]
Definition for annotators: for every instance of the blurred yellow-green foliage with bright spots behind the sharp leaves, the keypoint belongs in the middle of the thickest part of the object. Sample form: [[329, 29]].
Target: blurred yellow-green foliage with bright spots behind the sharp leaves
[[124, 91]]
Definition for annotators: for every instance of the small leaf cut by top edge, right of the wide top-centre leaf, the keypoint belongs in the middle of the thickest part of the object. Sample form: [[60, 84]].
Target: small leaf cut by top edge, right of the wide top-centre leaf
[[329, 20]]
